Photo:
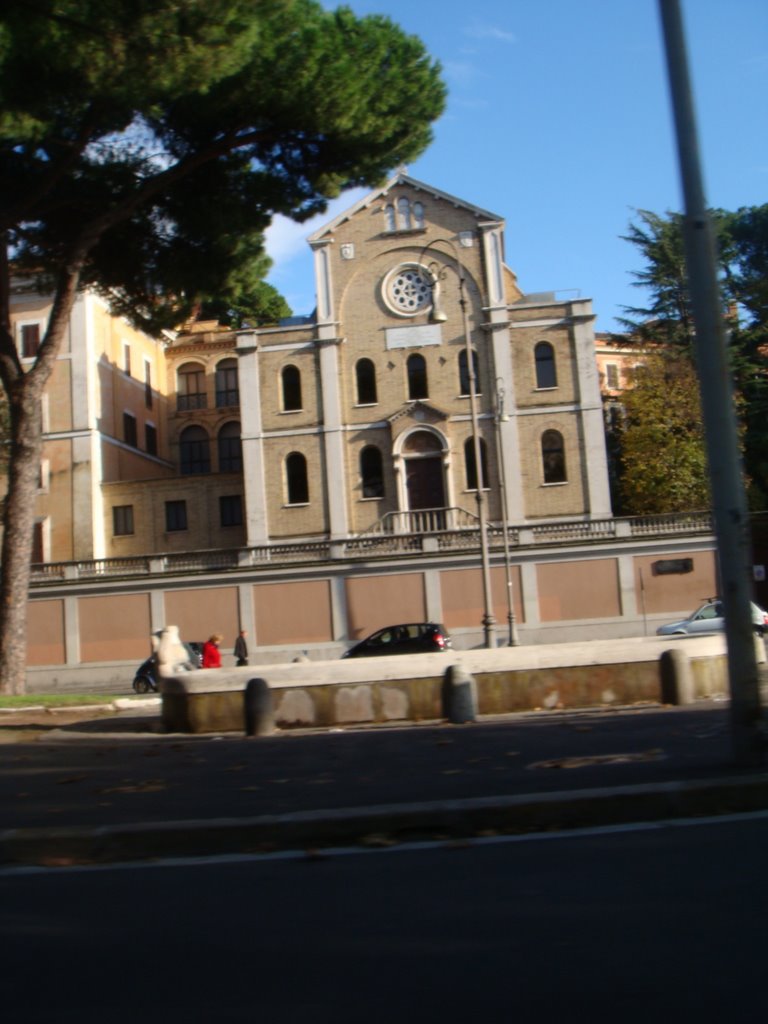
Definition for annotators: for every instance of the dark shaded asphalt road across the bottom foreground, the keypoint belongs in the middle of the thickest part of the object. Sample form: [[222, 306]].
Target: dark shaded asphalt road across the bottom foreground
[[659, 924]]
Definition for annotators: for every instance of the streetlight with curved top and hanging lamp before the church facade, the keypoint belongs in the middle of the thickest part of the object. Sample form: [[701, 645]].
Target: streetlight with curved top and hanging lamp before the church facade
[[438, 274]]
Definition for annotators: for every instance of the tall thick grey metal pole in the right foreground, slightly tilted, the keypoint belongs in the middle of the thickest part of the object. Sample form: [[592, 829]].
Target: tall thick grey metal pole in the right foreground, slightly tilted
[[730, 504]]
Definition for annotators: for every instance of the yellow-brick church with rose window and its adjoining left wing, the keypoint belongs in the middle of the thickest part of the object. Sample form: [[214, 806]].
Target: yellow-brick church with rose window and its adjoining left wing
[[357, 420]]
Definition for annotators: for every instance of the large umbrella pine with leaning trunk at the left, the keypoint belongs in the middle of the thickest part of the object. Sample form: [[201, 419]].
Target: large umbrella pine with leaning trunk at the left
[[145, 148]]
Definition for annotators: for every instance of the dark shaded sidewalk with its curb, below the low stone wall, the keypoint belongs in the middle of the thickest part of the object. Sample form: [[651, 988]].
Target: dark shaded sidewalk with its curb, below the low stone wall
[[109, 789]]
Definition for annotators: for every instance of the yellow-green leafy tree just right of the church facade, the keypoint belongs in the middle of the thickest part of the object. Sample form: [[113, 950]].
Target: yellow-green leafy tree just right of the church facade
[[663, 459]]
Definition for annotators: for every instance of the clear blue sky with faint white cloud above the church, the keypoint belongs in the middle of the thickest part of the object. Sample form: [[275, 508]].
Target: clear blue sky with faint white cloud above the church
[[559, 120]]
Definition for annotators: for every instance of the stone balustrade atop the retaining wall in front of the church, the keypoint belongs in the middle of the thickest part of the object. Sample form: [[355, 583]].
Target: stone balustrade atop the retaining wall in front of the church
[[398, 534]]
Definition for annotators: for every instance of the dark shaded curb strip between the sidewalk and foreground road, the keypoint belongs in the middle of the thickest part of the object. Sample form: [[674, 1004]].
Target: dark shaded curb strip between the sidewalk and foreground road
[[383, 826]]
